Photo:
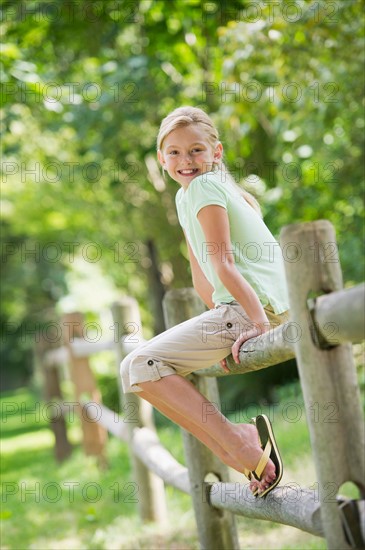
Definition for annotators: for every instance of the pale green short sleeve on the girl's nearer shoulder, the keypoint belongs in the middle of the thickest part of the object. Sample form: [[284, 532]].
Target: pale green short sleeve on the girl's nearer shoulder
[[204, 191]]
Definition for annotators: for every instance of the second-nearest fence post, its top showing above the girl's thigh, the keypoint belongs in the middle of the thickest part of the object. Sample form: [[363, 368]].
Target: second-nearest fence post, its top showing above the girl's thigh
[[216, 528]]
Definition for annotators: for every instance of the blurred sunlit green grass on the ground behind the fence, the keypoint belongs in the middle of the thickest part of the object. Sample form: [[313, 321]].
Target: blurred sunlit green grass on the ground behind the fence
[[76, 505]]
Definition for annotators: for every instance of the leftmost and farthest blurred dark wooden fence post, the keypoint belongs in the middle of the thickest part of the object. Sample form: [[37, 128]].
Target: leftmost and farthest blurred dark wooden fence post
[[52, 393]]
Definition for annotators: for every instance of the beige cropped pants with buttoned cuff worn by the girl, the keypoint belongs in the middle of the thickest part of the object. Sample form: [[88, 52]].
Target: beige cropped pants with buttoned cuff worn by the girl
[[197, 343]]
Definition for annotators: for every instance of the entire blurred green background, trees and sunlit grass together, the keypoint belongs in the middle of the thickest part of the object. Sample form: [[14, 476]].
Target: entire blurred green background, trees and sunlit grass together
[[87, 216]]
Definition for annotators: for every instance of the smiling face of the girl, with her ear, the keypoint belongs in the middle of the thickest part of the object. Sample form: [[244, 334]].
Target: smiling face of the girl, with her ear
[[186, 154]]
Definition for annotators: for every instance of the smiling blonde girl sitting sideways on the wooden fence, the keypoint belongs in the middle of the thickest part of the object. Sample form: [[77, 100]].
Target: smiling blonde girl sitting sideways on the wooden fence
[[245, 295]]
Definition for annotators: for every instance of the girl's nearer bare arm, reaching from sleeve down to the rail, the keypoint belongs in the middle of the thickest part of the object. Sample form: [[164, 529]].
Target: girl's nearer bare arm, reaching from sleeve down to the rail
[[215, 224]]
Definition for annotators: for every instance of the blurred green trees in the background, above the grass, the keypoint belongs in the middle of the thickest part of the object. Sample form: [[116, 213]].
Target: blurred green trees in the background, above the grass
[[86, 215]]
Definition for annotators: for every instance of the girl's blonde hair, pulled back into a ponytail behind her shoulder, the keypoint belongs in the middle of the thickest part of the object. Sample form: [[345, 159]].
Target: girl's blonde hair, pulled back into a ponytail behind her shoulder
[[184, 116]]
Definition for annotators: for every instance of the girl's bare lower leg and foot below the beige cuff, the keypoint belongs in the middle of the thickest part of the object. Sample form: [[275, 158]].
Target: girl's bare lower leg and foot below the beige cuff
[[186, 404]]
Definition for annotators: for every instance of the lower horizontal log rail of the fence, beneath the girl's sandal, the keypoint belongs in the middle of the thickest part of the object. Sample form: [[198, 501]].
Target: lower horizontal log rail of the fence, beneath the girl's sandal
[[289, 504]]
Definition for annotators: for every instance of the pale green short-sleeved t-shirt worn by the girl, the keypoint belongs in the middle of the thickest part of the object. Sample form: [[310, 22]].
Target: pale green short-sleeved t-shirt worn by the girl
[[258, 256]]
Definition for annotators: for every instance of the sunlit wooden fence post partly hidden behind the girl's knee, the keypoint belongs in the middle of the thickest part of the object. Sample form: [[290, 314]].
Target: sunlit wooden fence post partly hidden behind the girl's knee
[[139, 413]]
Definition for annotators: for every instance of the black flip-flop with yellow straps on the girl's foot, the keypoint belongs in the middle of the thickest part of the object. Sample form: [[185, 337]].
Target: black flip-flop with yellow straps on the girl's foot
[[271, 451]]
